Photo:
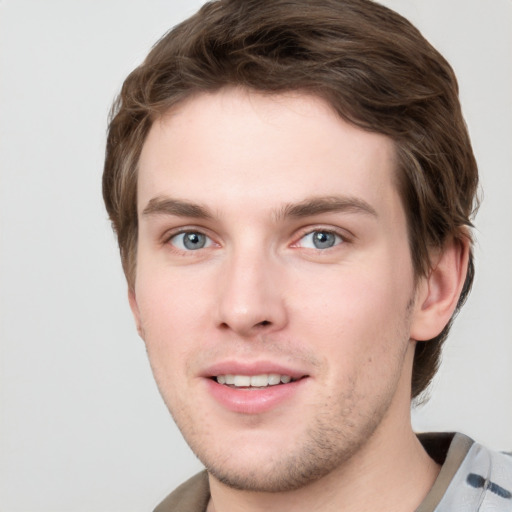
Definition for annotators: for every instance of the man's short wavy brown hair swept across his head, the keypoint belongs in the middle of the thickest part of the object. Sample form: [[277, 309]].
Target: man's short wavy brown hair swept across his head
[[370, 64]]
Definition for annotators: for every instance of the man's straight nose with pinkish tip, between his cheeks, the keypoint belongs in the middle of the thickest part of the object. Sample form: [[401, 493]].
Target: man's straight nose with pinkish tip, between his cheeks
[[251, 295]]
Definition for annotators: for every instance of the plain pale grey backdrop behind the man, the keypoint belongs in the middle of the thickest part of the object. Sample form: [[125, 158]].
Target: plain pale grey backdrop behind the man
[[82, 426]]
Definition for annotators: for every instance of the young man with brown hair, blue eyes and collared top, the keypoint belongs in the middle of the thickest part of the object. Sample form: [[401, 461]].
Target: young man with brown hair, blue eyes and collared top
[[292, 186]]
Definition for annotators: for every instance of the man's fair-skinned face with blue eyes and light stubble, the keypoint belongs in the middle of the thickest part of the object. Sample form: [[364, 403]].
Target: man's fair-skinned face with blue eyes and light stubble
[[274, 285]]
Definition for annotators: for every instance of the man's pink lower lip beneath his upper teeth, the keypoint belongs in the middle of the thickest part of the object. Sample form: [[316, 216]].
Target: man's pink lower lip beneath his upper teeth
[[253, 400]]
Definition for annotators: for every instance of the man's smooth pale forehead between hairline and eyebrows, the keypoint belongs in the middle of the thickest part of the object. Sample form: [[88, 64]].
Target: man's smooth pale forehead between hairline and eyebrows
[[236, 147]]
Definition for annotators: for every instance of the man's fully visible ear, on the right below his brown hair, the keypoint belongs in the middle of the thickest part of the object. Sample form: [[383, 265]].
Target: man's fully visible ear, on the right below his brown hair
[[438, 293]]
